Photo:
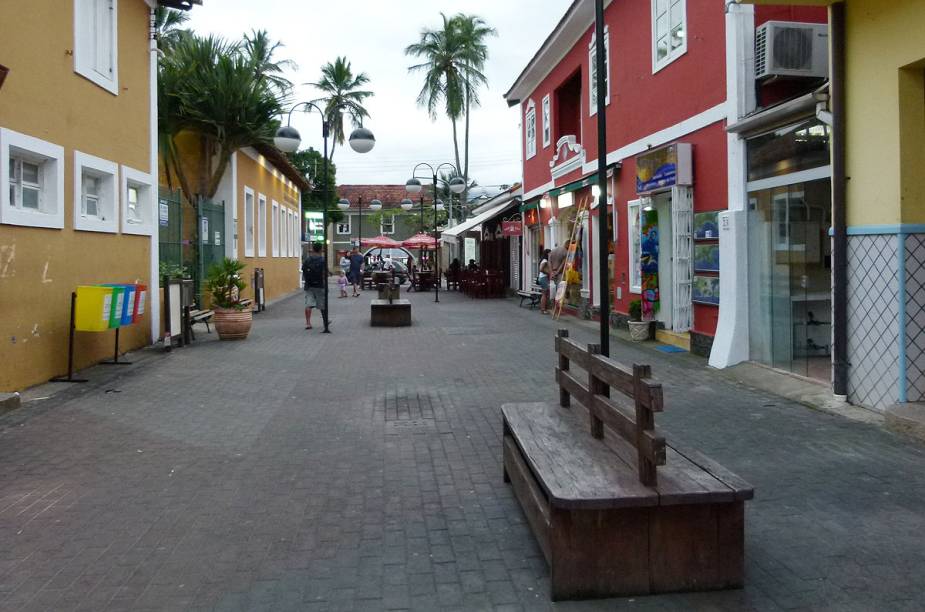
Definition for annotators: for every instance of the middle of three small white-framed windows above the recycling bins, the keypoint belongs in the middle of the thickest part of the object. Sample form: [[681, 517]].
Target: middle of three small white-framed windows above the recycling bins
[[95, 195]]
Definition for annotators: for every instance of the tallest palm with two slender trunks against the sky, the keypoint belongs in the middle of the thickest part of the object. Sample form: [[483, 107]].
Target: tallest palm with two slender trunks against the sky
[[454, 57]]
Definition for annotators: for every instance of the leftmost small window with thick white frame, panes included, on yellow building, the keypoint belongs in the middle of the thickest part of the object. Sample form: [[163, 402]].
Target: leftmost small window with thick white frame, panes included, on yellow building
[[31, 181]]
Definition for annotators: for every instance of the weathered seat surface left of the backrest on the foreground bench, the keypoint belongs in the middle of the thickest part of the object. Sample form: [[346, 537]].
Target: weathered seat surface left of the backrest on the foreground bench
[[573, 469]]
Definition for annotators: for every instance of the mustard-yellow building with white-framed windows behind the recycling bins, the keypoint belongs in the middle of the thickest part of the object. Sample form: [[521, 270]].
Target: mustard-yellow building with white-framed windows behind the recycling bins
[[77, 157]]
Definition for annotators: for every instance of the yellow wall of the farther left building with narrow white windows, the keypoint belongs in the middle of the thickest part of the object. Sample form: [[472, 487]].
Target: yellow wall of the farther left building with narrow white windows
[[281, 274]]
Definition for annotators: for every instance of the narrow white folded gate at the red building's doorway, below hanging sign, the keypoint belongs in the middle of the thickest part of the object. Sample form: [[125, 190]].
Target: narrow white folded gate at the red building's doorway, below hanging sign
[[682, 221]]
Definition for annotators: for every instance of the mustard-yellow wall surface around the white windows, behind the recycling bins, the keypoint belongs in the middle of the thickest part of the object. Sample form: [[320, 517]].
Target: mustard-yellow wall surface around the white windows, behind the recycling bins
[[43, 97]]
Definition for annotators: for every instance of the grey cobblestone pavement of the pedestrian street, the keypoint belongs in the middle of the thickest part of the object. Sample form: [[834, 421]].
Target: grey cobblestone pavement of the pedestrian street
[[361, 471]]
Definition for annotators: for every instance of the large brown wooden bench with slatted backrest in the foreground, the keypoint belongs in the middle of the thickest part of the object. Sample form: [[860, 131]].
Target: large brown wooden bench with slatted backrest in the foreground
[[615, 508]]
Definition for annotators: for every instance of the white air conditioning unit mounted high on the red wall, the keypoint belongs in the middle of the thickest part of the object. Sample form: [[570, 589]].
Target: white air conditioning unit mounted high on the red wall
[[791, 49]]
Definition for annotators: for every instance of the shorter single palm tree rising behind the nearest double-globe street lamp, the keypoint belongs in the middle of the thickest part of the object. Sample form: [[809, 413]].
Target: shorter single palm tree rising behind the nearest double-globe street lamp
[[342, 92]]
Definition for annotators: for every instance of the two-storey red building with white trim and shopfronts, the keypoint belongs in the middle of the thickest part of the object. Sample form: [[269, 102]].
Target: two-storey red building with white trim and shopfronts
[[666, 109]]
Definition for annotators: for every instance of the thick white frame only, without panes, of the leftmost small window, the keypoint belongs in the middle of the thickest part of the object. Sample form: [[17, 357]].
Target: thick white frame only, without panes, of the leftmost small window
[[51, 158]]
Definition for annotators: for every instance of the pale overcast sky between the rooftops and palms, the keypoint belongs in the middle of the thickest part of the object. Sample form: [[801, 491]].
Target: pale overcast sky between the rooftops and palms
[[373, 35]]
